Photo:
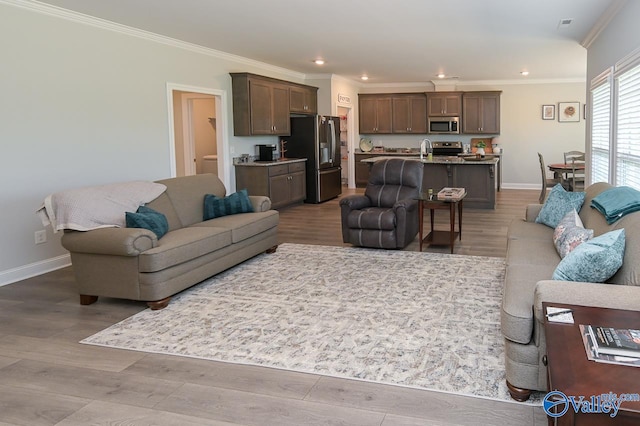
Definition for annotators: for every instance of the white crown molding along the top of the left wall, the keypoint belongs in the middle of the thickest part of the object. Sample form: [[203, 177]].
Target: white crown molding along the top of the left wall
[[58, 12]]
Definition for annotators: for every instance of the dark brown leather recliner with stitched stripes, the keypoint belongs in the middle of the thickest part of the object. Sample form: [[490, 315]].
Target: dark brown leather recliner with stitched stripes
[[386, 216]]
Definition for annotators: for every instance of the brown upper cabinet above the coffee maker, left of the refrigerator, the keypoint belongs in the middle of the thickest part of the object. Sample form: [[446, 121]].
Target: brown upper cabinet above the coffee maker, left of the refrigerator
[[260, 105]]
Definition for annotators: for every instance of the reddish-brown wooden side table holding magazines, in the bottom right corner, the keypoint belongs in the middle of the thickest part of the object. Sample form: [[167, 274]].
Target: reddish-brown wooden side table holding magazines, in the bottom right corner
[[570, 372]]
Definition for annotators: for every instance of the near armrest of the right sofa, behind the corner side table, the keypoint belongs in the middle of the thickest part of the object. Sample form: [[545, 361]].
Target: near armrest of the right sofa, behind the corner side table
[[586, 294]]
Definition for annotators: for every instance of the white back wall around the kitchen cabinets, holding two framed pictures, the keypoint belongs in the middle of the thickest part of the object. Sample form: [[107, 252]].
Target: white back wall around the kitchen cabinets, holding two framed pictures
[[523, 133]]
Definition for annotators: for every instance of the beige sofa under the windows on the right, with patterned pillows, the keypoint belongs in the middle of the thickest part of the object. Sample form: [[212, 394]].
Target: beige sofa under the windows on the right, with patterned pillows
[[531, 261]]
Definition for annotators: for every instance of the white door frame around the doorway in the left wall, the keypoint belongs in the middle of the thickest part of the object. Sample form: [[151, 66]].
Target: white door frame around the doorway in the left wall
[[223, 151]]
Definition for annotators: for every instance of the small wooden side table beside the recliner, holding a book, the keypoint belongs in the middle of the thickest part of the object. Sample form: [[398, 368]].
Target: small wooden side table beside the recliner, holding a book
[[440, 238]]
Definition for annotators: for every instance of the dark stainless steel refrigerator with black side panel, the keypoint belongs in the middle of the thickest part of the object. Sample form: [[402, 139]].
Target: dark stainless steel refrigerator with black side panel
[[317, 138]]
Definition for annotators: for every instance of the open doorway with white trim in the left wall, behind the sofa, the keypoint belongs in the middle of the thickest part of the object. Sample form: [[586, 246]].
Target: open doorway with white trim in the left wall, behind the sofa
[[197, 118]]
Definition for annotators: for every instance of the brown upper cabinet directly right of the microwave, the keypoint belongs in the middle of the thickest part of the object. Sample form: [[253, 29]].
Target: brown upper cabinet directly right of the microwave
[[481, 112]]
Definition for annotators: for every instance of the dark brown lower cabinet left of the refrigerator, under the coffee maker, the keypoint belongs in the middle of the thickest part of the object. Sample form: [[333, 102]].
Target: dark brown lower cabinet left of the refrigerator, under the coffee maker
[[284, 184]]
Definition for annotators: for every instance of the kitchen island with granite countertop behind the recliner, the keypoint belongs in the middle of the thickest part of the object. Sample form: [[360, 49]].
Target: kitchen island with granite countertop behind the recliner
[[476, 175]]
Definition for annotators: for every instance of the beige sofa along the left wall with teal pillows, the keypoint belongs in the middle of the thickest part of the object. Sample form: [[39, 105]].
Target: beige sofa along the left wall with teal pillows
[[132, 263]]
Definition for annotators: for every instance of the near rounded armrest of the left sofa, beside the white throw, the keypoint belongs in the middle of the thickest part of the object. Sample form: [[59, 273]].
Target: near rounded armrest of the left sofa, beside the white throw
[[111, 241]]
